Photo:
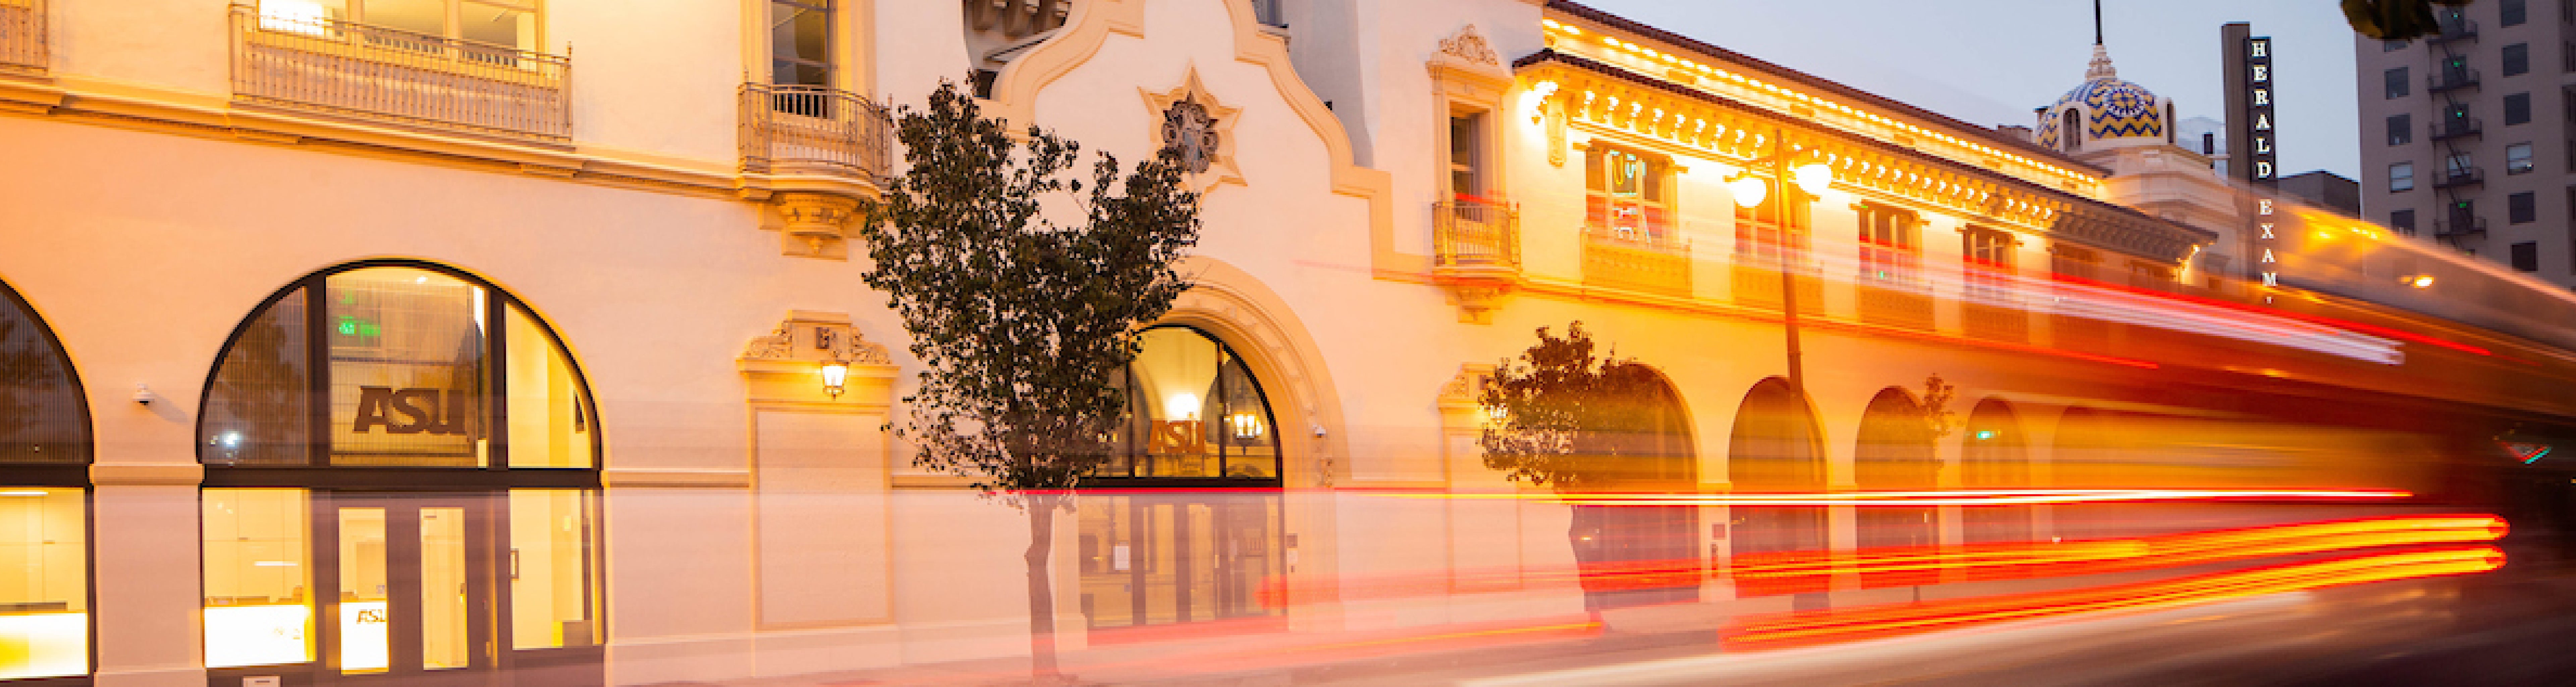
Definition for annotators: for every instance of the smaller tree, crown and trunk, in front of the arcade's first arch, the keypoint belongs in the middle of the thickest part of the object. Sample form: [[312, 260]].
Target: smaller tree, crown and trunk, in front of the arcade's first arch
[[1575, 421]]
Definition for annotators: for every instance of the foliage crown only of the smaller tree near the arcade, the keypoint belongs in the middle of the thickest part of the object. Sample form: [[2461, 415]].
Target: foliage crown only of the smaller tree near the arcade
[[1567, 418]]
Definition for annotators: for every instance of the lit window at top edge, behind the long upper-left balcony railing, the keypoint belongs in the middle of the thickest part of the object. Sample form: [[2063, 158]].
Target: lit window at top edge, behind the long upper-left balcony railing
[[509, 24]]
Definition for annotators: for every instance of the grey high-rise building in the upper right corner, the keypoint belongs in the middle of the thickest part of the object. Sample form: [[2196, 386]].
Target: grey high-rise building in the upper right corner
[[2456, 130]]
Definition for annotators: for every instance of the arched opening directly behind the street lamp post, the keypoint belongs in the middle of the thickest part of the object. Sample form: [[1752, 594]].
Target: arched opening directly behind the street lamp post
[[1776, 449]]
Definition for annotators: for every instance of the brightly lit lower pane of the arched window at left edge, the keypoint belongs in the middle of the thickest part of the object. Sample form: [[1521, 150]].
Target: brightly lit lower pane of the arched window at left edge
[[45, 614]]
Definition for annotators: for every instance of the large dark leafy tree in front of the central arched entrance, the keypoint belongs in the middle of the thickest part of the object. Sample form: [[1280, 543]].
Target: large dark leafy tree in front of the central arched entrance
[[1021, 320]]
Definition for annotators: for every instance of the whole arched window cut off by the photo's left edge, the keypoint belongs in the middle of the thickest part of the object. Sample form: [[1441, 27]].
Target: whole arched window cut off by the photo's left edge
[[45, 518]]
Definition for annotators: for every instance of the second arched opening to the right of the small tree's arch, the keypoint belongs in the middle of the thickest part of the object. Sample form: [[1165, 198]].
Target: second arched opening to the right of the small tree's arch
[[1895, 454]]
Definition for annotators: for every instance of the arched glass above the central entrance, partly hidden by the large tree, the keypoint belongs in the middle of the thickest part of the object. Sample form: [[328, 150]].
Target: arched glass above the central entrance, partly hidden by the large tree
[[1194, 413]]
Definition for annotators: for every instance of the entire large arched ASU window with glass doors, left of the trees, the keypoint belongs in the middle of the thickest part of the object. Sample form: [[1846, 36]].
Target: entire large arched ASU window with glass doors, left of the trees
[[401, 480]]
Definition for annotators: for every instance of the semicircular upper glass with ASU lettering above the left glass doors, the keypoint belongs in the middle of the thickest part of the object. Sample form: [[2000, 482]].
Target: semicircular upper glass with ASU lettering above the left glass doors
[[411, 374]]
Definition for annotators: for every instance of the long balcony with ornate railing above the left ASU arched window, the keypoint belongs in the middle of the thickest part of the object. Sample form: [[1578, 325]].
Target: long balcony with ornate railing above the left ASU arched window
[[395, 76]]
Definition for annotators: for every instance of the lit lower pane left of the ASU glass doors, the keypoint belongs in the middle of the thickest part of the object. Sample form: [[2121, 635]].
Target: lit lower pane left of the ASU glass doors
[[259, 570]]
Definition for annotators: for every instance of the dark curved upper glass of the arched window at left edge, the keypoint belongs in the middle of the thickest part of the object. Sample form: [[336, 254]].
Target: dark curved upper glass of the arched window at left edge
[[40, 403]]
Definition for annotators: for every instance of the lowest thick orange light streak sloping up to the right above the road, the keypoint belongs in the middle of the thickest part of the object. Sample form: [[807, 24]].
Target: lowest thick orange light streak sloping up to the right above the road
[[1794, 629]]
